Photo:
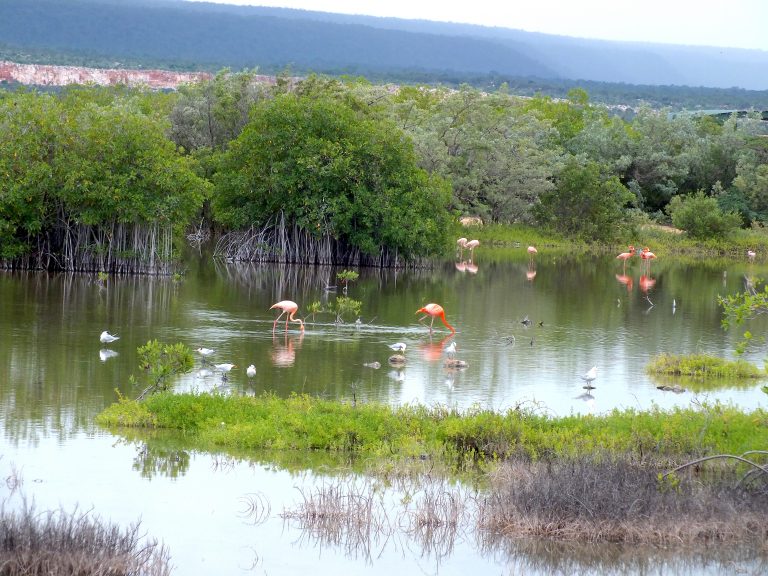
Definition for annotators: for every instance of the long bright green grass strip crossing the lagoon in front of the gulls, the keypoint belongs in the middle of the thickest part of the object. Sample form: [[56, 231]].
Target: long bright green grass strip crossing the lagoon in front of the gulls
[[300, 422]]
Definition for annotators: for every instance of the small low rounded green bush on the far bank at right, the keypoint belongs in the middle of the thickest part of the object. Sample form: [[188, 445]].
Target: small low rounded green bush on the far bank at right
[[701, 217]]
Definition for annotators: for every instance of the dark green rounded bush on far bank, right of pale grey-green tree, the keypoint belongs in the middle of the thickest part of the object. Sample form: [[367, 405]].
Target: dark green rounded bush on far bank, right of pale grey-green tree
[[587, 202]]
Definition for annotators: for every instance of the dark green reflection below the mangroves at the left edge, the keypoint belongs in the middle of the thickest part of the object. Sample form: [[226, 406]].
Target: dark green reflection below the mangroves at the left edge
[[44, 387]]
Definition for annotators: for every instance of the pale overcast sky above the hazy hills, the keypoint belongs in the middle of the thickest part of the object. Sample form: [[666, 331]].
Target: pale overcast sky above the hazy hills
[[733, 23]]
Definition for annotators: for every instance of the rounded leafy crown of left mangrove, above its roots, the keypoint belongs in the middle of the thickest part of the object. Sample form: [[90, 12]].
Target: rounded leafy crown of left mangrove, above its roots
[[117, 166]]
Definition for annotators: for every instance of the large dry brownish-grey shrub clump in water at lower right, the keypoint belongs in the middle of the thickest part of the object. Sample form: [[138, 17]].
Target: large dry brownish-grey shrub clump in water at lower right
[[610, 497]]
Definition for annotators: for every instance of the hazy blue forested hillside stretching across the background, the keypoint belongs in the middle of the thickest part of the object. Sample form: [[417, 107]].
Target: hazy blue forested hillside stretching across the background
[[180, 35]]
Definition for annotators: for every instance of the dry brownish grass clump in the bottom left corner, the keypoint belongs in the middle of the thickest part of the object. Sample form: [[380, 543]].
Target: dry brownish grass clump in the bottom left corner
[[58, 542]]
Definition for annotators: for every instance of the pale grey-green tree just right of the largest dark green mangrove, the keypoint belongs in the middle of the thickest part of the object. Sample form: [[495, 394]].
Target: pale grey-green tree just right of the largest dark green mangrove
[[498, 156]]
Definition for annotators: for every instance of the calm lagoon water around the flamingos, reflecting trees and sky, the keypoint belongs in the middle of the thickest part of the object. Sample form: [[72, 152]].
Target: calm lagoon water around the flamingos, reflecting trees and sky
[[583, 311]]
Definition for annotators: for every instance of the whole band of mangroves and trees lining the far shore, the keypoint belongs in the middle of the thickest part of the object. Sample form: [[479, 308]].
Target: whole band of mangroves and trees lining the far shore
[[345, 171]]
